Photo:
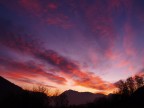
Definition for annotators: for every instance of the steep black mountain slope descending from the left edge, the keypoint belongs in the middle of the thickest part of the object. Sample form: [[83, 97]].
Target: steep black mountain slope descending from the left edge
[[6, 87]]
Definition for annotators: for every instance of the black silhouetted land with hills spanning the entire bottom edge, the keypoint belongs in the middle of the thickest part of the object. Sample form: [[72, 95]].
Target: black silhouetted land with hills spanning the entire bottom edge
[[13, 96]]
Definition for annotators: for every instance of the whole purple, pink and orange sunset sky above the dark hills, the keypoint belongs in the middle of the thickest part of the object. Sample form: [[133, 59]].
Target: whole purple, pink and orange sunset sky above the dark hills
[[83, 45]]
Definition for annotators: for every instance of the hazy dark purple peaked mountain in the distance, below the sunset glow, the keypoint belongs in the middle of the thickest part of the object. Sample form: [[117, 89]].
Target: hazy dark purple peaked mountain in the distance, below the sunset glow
[[78, 98]]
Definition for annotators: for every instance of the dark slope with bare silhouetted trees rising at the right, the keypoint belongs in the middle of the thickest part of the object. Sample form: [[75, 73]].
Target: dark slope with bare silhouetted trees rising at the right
[[129, 94]]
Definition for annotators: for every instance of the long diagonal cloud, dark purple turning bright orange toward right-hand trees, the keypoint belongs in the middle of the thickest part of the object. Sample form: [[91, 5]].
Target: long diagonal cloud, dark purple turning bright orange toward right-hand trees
[[71, 70]]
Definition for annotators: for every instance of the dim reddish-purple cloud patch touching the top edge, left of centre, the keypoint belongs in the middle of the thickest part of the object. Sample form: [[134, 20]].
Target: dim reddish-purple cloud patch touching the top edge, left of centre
[[46, 11]]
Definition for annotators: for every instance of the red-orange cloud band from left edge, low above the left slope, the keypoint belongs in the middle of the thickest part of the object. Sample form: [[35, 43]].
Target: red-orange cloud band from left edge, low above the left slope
[[31, 70]]
